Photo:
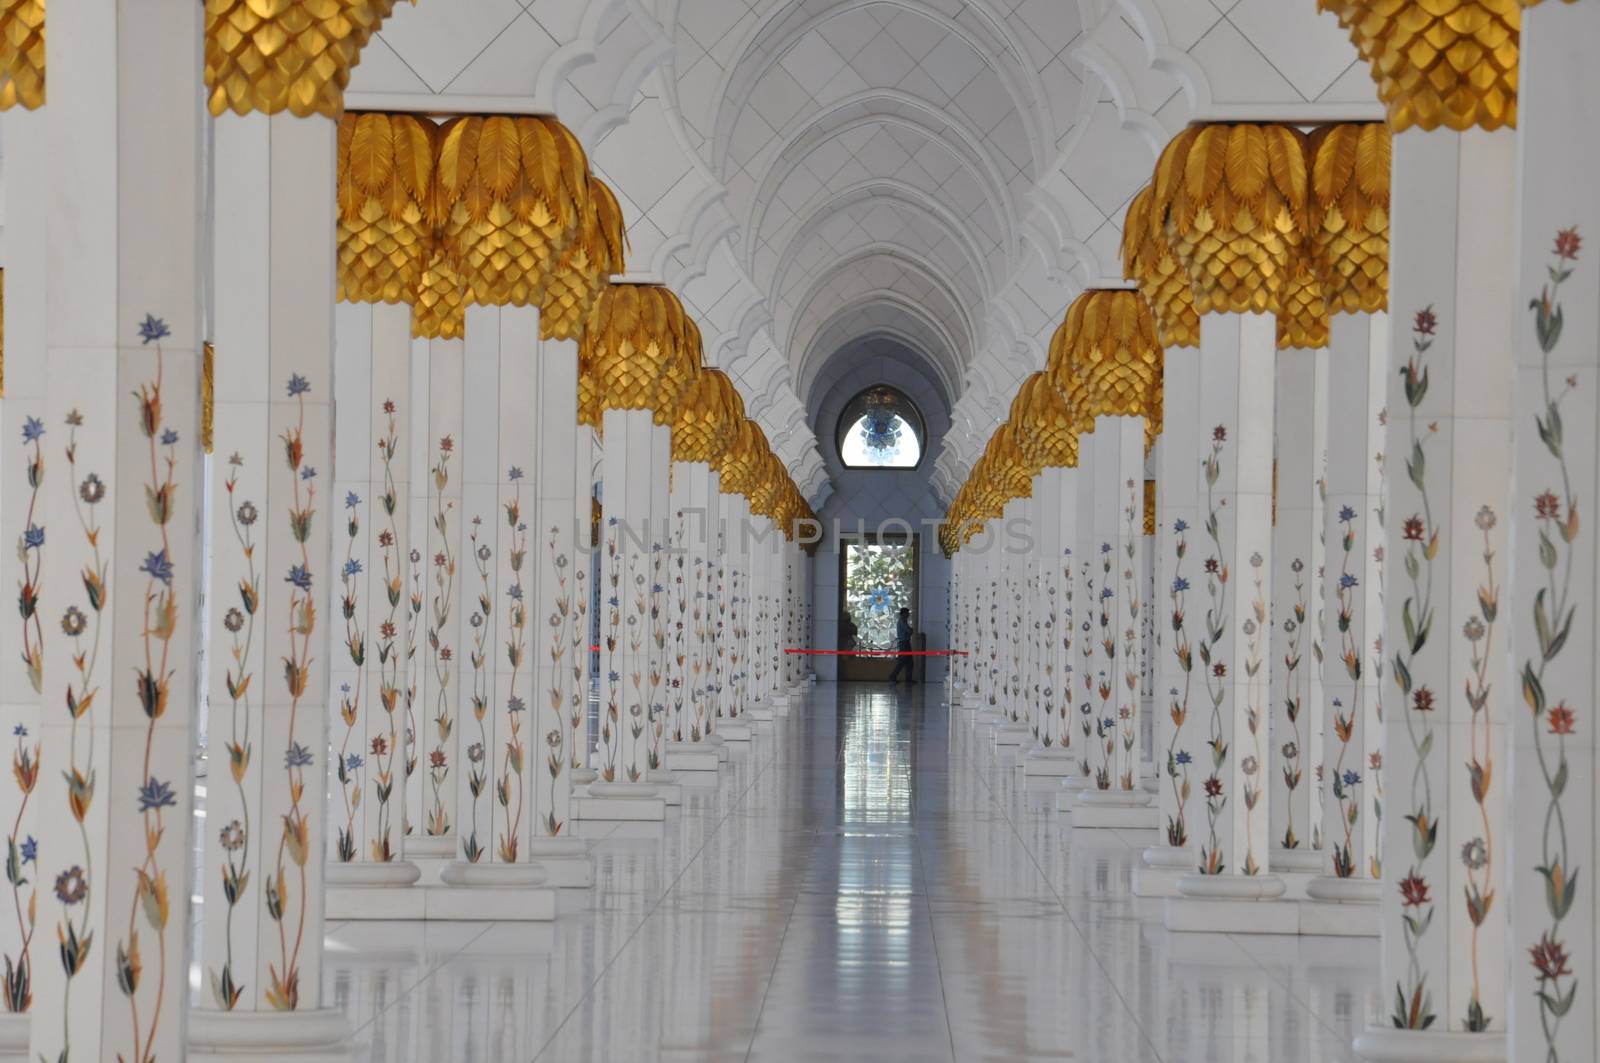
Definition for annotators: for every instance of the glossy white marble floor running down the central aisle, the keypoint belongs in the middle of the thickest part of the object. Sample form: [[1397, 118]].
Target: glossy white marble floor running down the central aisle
[[866, 883]]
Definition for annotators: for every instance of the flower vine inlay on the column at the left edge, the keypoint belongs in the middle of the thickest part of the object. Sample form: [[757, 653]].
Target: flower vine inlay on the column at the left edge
[[23, 851]]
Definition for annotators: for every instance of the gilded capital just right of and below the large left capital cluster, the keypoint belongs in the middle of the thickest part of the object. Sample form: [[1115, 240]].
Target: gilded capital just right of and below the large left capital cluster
[[641, 351]]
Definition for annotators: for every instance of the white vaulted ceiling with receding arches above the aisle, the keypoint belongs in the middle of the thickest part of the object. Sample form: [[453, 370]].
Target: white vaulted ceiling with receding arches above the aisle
[[945, 175]]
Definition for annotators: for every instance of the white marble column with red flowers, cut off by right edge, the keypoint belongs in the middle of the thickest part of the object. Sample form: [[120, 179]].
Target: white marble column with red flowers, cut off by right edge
[[1556, 944]]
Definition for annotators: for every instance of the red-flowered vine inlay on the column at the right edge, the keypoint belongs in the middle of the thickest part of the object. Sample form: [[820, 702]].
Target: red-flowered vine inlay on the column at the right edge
[[1553, 720]]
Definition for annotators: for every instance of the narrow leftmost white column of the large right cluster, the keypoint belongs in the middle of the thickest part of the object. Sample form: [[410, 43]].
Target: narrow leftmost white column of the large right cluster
[[1178, 576]]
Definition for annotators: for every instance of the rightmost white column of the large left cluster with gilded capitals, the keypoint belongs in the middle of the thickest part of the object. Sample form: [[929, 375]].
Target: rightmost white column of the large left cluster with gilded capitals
[[561, 592]]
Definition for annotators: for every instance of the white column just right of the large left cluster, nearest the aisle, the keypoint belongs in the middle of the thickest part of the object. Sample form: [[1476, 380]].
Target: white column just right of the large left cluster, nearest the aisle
[[636, 455]]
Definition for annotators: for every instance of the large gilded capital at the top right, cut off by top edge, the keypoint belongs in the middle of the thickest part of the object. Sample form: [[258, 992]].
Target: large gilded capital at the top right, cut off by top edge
[[1439, 63]]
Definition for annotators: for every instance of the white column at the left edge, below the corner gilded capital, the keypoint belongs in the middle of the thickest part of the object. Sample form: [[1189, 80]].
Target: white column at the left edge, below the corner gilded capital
[[30, 446]]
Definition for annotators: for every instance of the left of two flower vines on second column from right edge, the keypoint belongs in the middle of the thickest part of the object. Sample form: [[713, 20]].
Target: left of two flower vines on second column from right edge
[[1414, 1000]]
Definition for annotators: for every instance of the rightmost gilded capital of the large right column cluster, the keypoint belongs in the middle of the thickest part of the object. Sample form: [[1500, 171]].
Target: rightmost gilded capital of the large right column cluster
[[1350, 215]]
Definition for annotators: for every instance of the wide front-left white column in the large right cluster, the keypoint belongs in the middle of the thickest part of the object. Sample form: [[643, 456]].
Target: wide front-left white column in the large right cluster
[[1231, 838]]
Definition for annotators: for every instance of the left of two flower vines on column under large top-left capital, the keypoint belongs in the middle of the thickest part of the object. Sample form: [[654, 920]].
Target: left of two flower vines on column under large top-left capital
[[226, 989]]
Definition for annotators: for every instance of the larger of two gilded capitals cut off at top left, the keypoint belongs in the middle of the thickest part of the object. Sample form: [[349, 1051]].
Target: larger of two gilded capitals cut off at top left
[[286, 55]]
